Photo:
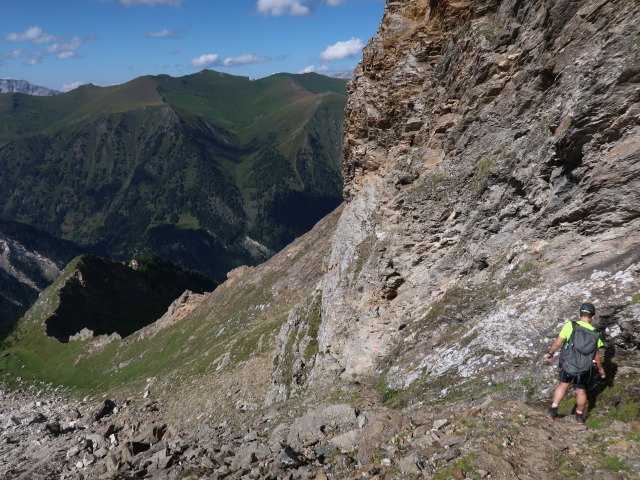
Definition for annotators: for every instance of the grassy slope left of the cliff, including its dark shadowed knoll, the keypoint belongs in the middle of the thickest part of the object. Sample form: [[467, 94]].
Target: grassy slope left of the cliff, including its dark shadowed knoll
[[239, 321]]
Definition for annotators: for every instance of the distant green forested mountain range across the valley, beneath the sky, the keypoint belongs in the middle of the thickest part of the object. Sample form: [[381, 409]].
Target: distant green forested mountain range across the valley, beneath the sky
[[197, 168]]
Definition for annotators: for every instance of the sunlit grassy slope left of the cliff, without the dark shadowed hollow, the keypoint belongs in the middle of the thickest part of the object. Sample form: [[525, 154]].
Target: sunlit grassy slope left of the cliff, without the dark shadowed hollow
[[241, 317]]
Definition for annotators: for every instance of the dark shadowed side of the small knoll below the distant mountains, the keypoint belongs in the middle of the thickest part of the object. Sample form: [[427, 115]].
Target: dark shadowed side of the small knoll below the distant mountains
[[99, 297]]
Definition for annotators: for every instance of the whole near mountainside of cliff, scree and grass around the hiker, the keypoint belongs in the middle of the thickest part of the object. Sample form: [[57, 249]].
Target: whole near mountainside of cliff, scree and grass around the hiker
[[492, 179]]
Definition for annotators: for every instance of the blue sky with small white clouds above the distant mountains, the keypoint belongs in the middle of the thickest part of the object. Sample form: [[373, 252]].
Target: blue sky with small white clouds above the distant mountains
[[63, 43]]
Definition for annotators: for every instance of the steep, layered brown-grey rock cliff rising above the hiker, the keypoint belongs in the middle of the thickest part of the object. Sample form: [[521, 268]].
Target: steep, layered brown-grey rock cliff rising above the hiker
[[492, 161]]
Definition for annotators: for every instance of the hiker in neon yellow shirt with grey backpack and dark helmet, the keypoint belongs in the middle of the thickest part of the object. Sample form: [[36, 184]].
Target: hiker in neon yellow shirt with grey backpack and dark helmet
[[580, 342]]
